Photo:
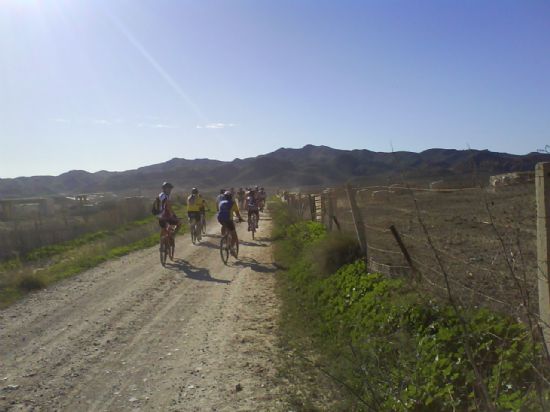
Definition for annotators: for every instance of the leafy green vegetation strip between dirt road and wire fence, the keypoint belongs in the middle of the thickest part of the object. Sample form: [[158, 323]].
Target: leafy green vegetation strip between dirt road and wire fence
[[391, 347]]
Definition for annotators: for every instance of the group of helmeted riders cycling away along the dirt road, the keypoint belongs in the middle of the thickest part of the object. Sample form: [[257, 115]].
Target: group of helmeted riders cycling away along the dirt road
[[228, 203]]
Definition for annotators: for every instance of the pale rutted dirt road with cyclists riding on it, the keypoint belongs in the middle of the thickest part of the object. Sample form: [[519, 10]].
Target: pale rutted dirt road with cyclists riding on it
[[132, 335]]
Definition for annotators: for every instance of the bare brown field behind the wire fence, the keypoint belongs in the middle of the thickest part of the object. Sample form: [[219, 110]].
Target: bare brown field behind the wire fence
[[483, 239]]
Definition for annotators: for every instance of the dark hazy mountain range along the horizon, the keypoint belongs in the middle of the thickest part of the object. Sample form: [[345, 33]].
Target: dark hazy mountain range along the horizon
[[285, 168]]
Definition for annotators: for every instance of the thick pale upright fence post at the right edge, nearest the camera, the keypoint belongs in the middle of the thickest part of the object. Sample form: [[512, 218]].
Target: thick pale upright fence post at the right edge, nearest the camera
[[542, 183]]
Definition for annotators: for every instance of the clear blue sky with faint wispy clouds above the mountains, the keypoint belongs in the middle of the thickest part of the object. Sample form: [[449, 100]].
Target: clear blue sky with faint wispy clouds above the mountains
[[118, 84]]
